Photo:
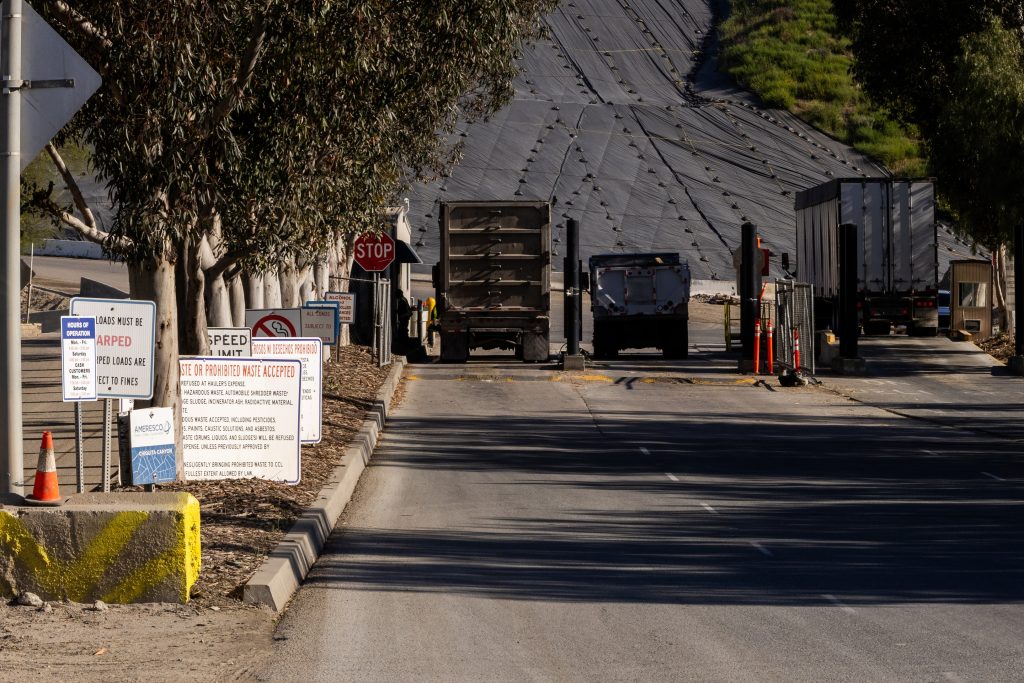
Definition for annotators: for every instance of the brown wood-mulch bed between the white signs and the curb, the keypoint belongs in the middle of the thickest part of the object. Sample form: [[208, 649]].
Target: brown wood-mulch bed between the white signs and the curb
[[244, 520]]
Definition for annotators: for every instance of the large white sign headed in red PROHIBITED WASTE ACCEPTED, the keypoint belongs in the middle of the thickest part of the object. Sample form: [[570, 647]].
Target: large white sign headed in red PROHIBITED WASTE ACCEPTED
[[240, 418]]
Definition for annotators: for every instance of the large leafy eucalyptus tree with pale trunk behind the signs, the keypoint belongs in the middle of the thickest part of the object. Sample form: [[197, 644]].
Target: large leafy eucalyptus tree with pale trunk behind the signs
[[238, 136]]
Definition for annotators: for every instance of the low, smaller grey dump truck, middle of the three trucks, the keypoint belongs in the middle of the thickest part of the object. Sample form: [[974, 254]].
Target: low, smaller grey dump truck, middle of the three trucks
[[641, 302]]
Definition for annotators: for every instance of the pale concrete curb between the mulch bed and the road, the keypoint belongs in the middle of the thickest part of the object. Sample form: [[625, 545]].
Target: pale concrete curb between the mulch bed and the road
[[288, 565]]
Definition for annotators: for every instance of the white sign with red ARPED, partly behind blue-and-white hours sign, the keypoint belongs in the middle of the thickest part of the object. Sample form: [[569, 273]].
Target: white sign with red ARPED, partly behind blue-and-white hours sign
[[125, 336]]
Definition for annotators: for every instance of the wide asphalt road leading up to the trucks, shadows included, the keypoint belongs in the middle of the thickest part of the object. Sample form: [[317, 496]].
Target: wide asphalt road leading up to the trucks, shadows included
[[653, 522]]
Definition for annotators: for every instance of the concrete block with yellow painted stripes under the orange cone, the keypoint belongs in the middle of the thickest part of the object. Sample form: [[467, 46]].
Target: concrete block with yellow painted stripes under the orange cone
[[118, 548]]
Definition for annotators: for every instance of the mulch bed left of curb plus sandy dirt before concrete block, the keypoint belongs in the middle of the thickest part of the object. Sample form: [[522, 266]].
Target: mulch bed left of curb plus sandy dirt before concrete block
[[216, 637]]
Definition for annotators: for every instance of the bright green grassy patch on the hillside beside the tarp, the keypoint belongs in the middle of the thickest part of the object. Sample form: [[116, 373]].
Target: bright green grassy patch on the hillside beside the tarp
[[790, 53]]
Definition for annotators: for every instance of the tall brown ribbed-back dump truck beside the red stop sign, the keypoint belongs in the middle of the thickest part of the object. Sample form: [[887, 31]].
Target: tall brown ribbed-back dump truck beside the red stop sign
[[494, 279]]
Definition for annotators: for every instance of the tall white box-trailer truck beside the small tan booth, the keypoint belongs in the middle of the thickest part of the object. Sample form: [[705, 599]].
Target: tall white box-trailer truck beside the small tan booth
[[898, 255]]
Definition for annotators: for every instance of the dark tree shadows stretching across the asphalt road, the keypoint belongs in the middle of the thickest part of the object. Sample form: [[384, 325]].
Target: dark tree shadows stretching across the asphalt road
[[866, 510]]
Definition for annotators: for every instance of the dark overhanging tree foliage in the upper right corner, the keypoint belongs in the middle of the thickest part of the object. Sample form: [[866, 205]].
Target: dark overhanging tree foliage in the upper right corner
[[959, 81]]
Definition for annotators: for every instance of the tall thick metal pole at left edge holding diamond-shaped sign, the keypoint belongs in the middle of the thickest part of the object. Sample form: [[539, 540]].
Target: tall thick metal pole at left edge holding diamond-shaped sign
[[11, 277]]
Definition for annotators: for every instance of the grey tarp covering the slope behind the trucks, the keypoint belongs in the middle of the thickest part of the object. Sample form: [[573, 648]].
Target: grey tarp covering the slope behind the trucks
[[623, 124]]
